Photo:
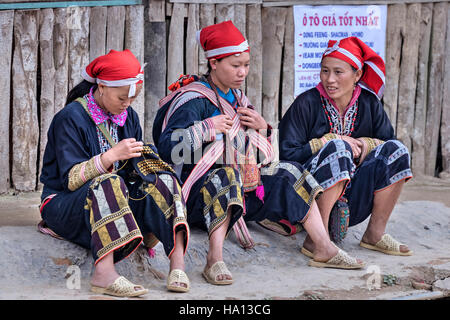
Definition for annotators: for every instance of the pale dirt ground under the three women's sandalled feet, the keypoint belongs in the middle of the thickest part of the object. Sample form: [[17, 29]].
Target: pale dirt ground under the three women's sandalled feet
[[421, 219]]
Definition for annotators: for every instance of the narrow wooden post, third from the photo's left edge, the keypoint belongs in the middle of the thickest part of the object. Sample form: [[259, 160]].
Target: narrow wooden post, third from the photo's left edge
[[47, 91]]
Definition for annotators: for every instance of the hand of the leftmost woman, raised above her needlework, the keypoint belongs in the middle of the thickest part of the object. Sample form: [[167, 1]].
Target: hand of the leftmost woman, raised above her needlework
[[124, 150]]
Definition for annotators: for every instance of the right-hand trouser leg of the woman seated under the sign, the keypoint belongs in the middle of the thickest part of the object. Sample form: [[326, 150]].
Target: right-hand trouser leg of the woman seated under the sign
[[385, 165]]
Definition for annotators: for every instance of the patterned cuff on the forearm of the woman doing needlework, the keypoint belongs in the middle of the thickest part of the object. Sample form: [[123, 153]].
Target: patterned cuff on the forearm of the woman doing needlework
[[85, 171]]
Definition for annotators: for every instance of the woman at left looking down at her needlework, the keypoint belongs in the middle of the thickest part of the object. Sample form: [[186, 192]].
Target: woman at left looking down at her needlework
[[91, 194]]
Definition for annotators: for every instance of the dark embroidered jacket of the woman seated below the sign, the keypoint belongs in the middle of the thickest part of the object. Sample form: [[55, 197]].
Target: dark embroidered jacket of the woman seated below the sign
[[306, 127]]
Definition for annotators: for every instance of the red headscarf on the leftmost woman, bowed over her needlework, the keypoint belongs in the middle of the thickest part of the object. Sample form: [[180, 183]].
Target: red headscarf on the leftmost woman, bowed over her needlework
[[115, 69]]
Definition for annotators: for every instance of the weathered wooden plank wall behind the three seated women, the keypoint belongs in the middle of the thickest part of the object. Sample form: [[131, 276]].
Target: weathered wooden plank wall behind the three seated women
[[51, 46]]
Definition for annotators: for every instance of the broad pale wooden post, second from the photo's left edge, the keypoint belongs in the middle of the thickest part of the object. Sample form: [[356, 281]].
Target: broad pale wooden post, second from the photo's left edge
[[25, 128]]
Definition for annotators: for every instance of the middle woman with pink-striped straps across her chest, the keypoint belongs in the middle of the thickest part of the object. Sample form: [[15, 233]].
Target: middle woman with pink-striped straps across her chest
[[209, 129]]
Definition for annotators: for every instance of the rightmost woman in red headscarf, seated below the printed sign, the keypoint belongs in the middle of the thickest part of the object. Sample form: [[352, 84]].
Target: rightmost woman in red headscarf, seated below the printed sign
[[340, 132]]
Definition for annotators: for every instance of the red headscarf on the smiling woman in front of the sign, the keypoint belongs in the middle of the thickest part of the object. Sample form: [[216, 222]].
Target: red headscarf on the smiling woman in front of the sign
[[359, 55]]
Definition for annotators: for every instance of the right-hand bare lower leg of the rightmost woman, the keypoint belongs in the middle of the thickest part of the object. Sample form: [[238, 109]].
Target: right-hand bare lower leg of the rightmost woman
[[383, 205]]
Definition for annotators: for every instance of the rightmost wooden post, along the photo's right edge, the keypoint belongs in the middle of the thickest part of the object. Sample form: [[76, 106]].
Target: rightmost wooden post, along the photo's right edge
[[435, 87]]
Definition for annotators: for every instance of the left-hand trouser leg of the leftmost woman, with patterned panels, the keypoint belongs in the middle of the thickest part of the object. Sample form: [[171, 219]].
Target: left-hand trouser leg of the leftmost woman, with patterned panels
[[95, 216]]
